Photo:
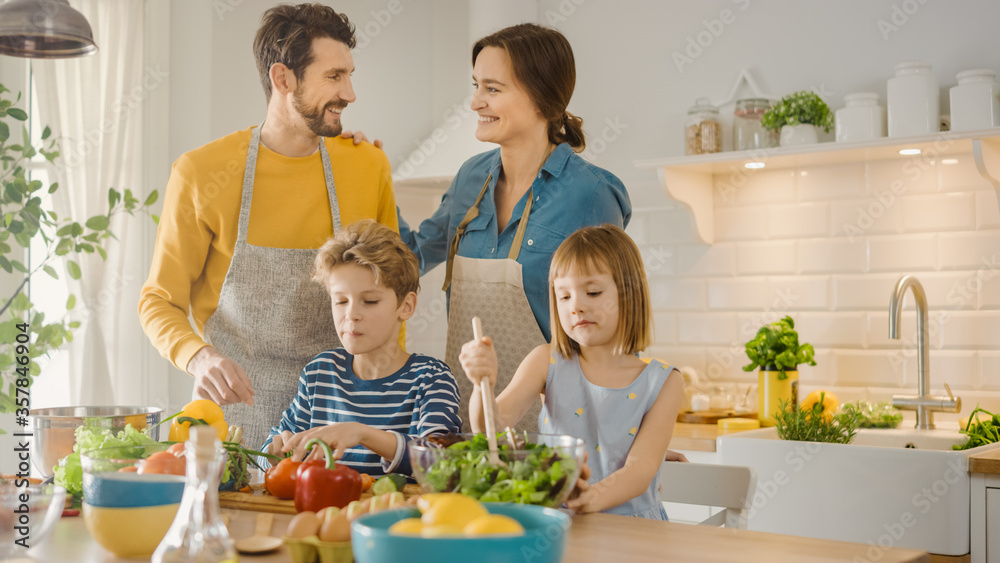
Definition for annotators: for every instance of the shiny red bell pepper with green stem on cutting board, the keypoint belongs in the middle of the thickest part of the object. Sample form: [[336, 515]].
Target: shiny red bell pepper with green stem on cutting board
[[321, 486]]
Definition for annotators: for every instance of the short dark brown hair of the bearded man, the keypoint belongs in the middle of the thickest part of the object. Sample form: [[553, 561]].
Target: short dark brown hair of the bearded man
[[286, 34]]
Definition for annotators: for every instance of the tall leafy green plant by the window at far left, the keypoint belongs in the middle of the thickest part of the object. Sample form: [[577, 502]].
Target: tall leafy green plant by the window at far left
[[25, 215]]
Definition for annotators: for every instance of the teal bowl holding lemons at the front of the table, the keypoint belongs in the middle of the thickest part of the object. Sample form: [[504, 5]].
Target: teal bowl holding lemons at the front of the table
[[543, 540]]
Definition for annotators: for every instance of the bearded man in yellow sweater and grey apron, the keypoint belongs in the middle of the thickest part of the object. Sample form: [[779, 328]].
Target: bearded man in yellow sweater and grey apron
[[242, 271]]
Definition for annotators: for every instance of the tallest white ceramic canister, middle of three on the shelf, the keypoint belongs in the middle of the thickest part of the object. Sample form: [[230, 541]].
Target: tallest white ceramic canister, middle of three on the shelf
[[912, 98]]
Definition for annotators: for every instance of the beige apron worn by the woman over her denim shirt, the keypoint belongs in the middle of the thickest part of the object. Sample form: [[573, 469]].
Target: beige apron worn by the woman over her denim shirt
[[491, 289]]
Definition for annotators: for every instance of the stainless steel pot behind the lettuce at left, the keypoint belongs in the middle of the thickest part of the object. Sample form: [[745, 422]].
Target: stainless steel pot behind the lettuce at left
[[54, 429]]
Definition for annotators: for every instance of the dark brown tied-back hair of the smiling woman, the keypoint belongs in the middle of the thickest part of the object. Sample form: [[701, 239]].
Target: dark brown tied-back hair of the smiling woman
[[544, 66]]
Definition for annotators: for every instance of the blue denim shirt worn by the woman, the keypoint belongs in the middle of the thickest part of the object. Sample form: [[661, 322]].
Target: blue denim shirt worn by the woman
[[569, 193]]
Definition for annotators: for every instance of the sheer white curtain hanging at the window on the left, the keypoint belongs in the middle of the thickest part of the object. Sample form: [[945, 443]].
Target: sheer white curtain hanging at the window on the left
[[94, 106]]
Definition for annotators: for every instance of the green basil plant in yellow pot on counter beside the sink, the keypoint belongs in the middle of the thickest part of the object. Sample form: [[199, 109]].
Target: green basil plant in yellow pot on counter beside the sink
[[777, 352]]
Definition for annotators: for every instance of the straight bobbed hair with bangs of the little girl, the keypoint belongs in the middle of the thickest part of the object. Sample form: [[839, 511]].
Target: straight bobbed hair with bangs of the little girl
[[605, 249]]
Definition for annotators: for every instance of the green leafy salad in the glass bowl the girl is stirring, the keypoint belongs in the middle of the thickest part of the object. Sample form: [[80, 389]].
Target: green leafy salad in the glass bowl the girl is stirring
[[535, 473]]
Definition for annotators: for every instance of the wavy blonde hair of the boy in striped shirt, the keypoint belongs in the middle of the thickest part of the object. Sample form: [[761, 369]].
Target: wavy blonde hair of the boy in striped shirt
[[373, 245]]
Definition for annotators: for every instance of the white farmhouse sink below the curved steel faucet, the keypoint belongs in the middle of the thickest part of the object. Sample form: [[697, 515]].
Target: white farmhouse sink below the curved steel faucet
[[902, 488]]
